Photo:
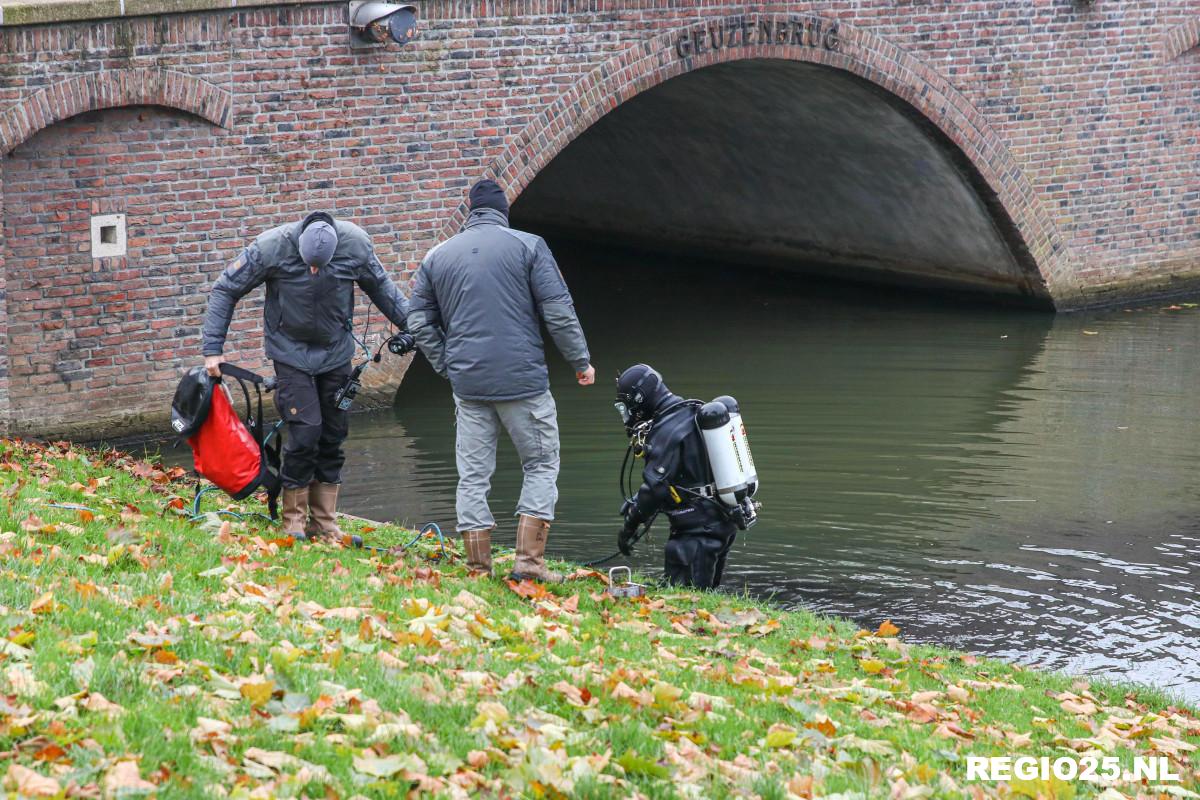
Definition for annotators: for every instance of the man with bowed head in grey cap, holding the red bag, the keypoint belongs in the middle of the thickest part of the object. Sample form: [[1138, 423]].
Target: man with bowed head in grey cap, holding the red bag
[[310, 269]]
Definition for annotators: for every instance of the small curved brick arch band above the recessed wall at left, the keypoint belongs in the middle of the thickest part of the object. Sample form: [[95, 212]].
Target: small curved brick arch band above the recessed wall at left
[[110, 89]]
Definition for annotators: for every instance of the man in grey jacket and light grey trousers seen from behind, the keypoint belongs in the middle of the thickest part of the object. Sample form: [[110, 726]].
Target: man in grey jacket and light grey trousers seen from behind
[[477, 310]]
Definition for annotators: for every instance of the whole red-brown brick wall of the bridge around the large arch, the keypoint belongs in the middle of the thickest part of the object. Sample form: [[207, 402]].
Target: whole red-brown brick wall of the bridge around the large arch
[[1085, 123]]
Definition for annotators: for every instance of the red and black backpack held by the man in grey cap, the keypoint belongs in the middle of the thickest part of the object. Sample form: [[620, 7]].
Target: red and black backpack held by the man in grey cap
[[230, 452]]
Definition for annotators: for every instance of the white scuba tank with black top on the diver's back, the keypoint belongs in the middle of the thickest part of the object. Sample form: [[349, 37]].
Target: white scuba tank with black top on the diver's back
[[735, 479]]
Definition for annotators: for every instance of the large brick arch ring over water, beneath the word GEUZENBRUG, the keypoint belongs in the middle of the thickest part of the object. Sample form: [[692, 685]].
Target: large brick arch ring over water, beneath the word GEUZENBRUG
[[1033, 233]]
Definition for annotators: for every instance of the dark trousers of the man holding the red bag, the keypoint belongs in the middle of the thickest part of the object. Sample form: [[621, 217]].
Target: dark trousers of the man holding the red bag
[[316, 429]]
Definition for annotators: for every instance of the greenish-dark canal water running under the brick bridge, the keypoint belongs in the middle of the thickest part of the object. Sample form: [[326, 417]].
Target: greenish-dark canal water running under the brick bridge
[[1004, 482]]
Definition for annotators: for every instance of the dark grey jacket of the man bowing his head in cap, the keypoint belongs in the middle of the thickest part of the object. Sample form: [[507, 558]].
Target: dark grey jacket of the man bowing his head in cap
[[309, 317]]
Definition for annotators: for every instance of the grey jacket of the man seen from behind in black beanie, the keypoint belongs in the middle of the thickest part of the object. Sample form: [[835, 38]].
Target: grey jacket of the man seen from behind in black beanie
[[478, 305]]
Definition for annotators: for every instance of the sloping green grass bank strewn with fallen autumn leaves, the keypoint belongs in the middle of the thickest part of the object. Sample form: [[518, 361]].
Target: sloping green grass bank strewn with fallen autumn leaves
[[146, 654]]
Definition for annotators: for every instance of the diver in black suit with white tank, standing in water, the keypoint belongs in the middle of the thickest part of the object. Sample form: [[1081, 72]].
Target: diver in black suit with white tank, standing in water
[[698, 471]]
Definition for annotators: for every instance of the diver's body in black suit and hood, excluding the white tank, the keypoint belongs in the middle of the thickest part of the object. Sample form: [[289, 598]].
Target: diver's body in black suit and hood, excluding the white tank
[[675, 480]]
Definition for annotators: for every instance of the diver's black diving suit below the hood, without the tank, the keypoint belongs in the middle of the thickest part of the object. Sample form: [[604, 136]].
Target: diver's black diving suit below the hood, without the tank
[[701, 533]]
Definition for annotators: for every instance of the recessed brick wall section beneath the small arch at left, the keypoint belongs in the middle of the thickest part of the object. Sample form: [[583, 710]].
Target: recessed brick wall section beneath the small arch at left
[[91, 333]]
